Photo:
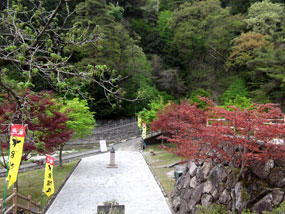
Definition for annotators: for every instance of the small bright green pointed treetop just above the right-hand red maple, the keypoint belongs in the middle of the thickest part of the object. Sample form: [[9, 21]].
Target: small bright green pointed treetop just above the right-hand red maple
[[237, 88]]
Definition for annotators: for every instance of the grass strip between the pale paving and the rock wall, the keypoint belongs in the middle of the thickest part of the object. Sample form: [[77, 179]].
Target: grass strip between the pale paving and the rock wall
[[162, 158]]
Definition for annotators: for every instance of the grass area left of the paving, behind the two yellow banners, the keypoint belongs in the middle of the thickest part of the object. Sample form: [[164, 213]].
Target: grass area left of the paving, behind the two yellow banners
[[31, 183]]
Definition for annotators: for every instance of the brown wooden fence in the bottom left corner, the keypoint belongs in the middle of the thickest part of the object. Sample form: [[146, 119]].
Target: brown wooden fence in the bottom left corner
[[31, 206]]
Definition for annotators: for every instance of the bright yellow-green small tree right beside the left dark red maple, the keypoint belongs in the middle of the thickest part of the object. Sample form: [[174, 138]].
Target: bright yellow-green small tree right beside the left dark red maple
[[81, 120]]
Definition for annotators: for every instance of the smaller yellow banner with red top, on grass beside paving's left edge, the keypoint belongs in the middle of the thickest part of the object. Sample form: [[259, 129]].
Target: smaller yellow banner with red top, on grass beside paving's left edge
[[49, 183]]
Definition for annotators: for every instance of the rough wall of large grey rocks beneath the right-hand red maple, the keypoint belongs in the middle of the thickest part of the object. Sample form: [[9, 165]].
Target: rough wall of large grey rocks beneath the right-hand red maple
[[261, 188]]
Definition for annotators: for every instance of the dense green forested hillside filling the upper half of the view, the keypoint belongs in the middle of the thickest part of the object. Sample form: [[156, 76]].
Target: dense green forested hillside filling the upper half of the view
[[141, 50]]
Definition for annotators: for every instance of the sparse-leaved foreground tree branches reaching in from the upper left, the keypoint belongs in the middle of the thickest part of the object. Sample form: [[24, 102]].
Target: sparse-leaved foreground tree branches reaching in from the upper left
[[32, 44]]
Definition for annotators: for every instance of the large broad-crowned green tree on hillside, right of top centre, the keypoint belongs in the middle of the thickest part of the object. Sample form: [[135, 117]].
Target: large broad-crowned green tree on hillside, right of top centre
[[202, 32]]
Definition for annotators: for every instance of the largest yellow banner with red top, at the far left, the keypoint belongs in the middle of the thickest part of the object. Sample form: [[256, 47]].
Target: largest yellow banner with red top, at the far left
[[16, 149]]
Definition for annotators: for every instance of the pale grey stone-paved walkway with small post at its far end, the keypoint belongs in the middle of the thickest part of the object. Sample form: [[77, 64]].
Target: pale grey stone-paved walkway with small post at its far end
[[91, 184]]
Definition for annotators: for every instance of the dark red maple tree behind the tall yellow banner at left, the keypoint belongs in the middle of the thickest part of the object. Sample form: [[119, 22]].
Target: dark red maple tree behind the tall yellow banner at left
[[46, 126]]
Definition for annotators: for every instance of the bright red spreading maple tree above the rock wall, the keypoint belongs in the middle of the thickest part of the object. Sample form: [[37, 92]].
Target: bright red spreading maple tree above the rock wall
[[232, 136]]
